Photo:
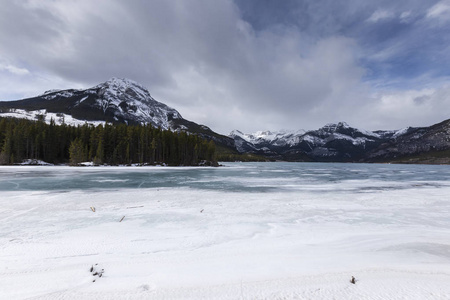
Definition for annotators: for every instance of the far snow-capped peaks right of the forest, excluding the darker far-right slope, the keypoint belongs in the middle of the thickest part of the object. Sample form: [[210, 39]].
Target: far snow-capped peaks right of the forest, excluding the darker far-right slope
[[332, 142]]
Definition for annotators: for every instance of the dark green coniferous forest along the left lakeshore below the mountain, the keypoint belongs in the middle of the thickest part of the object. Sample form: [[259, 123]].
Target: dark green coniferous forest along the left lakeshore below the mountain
[[104, 144]]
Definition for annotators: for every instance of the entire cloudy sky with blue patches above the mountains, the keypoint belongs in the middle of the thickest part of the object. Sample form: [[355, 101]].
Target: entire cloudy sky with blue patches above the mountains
[[241, 64]]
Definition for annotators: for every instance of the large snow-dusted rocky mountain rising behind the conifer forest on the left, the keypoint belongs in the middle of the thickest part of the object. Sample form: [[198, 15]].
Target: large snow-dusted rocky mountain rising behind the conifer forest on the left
[[115, 101]]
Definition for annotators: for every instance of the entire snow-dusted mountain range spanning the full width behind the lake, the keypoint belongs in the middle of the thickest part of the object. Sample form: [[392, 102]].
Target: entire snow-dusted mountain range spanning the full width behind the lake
[[125, 101]]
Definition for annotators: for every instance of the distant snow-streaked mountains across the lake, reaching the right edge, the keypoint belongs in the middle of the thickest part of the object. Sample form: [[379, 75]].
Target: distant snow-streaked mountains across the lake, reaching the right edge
[[343, 143]]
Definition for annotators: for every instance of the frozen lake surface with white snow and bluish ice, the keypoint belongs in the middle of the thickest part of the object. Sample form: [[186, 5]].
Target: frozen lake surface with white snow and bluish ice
[[225, 233]]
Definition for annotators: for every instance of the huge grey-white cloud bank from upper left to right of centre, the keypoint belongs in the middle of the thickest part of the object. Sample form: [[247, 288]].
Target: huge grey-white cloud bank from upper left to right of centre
[[200, 58]]
